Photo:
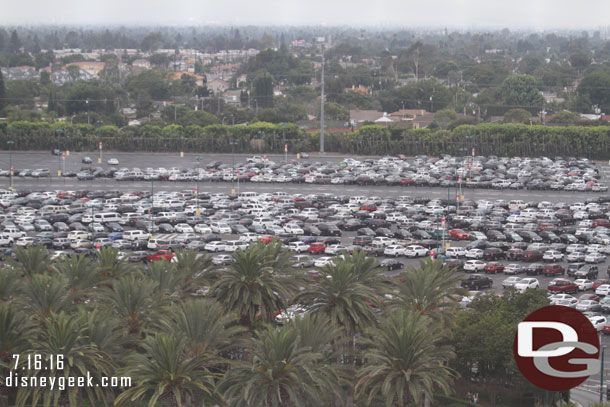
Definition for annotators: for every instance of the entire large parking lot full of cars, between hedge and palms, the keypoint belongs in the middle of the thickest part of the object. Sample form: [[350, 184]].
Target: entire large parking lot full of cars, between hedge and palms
[[200, 204]]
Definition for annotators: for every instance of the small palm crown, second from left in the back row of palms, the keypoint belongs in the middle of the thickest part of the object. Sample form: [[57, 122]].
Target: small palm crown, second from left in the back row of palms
[[79, 271]]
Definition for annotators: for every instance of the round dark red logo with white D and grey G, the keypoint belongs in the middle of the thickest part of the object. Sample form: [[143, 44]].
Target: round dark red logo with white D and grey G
[[556, 348]]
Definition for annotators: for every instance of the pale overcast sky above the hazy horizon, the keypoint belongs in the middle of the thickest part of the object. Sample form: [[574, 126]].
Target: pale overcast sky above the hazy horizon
[[537, 14]]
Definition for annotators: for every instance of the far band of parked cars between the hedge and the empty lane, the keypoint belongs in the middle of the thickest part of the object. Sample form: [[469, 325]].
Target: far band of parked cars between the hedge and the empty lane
[[559, 173]]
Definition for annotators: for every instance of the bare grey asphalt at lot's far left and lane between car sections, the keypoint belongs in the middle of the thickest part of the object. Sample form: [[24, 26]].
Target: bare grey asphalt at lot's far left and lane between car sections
[[33, 160]]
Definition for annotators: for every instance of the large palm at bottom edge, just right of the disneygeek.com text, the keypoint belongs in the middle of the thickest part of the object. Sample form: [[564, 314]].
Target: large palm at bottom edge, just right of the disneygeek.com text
[[164, 373]]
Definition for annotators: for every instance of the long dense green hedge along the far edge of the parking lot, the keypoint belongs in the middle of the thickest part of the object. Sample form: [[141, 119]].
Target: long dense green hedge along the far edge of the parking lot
[[261, 137]]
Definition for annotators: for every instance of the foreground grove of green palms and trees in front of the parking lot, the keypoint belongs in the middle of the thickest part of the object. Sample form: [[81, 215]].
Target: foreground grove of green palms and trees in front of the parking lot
[[189, 333]]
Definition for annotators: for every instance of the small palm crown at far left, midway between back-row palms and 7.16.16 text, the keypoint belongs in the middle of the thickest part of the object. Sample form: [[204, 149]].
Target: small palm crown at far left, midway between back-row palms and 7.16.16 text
[[45, 294]]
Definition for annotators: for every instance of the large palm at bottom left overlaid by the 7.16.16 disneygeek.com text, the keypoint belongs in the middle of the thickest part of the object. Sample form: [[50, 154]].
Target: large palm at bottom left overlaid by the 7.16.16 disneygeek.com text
[[64, 335]]
